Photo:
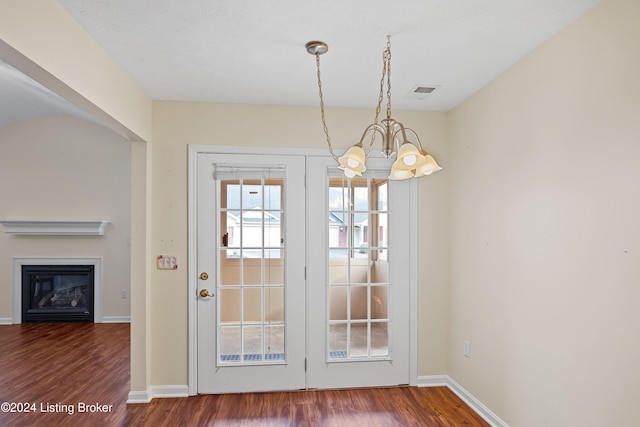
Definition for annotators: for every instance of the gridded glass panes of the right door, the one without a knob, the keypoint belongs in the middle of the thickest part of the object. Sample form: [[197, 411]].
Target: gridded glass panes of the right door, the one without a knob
[[358, 287]]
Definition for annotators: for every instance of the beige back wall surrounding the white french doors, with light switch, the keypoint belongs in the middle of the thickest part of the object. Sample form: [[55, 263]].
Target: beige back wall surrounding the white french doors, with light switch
[[177, 124]]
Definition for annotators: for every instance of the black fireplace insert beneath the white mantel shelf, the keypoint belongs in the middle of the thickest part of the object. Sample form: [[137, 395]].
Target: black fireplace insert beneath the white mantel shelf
[[57, 293]]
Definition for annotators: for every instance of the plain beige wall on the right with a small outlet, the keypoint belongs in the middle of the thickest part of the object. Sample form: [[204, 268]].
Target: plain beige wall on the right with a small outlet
[[545, 236]]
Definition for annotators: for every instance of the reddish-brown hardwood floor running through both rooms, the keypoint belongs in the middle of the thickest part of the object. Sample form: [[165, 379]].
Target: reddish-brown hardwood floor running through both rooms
[[78, 375]]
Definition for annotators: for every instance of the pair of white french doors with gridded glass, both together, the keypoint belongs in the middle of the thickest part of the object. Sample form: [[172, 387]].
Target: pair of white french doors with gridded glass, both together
[[302, 274]]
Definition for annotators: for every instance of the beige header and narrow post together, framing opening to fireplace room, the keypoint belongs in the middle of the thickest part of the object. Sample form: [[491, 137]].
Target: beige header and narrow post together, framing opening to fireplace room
[[40, 39]]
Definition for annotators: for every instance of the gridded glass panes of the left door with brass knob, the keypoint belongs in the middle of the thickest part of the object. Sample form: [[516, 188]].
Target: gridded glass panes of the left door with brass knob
[[251, 325]]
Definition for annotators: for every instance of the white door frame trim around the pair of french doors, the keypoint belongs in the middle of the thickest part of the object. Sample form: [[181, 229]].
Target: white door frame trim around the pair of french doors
[[193, 152]]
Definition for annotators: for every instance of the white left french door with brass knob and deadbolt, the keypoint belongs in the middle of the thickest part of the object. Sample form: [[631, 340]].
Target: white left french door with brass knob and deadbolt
[[251, 285]]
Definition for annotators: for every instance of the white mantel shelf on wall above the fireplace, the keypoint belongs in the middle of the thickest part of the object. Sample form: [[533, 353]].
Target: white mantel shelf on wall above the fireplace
[[55, 228]]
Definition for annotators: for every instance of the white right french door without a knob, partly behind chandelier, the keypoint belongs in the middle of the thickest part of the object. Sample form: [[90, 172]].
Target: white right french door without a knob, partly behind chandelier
[[358, 288]]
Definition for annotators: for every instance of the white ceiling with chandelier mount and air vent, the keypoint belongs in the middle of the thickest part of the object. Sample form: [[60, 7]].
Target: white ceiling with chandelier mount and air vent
[[252, 52]]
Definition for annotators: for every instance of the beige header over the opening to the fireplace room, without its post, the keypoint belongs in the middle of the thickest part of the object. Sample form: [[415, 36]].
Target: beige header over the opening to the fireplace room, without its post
[[42, 40]]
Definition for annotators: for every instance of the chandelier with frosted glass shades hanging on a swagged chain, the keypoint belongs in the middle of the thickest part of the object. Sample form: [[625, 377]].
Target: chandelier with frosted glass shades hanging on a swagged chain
[[411, 161]]
